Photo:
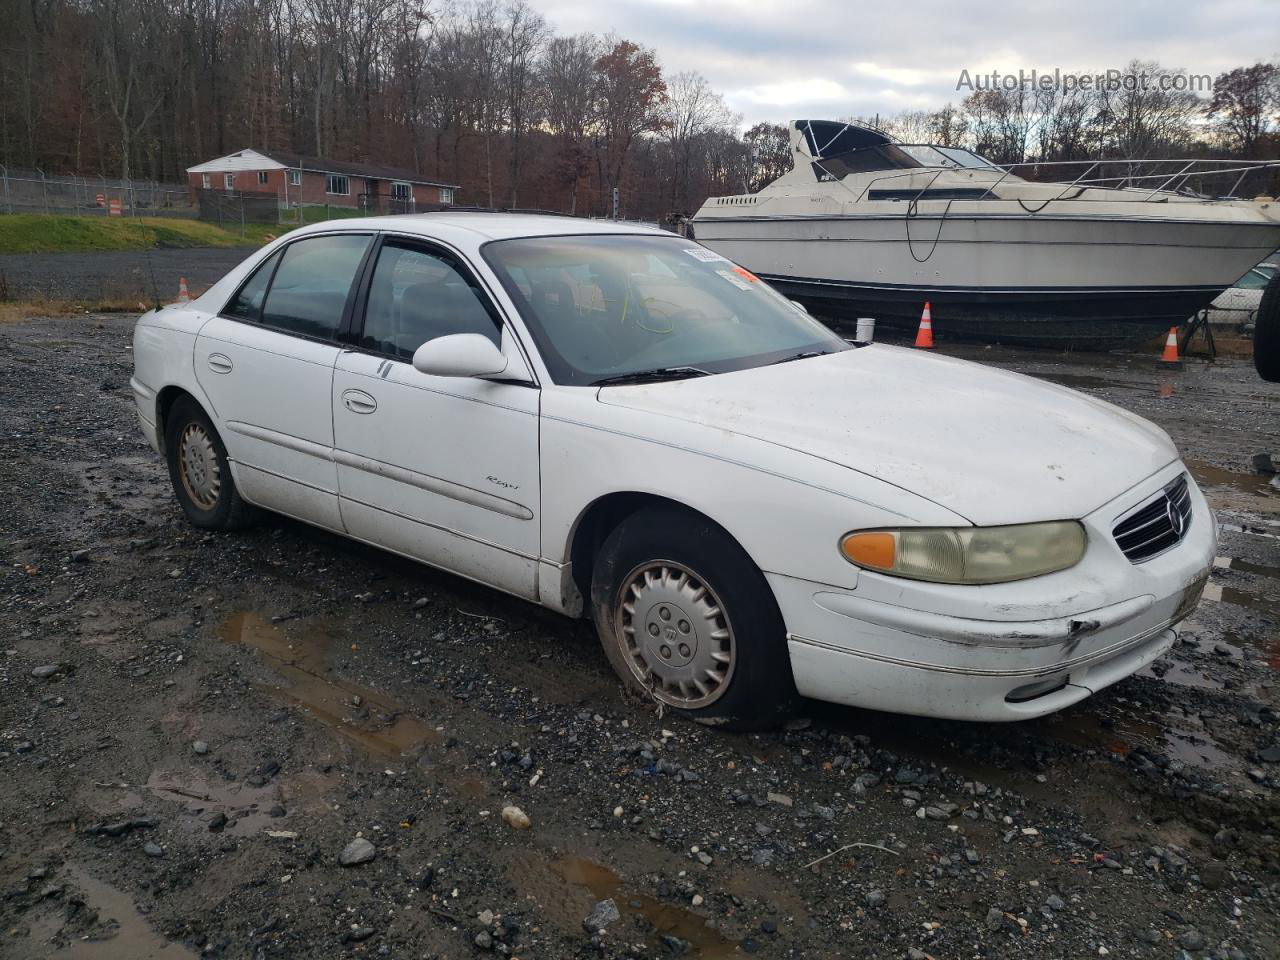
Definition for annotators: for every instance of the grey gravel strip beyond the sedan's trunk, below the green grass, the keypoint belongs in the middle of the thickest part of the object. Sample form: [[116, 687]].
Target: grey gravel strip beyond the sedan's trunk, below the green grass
[[147, 275]]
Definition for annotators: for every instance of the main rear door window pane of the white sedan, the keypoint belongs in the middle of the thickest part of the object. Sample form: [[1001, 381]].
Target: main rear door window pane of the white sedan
[[309, 292]]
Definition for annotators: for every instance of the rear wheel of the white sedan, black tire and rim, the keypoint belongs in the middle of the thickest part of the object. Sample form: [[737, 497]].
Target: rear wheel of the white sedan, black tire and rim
[[200, 473]]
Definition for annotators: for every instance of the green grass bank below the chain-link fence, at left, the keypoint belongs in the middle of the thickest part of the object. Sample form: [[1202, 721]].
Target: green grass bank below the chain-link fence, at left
[[43, 234]]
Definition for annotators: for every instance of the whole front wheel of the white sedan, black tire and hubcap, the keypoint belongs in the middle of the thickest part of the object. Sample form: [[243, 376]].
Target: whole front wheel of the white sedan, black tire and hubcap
[[687, 619]]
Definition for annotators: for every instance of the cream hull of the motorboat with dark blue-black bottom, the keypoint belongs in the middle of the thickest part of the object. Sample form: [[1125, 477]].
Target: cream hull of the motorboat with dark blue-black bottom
[[1086, 281]]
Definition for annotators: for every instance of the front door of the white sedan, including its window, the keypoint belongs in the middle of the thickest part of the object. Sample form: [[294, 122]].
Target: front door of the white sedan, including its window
[[436, 468]]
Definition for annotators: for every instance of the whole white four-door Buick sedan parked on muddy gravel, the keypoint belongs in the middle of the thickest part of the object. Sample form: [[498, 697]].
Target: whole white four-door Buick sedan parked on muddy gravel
[[619, 424]]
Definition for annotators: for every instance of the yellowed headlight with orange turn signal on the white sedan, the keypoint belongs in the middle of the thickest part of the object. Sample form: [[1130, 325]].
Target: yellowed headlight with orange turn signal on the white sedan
[[975, 555]]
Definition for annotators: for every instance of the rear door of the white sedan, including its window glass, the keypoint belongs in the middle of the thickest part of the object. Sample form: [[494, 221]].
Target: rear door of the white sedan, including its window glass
[[267, 367]]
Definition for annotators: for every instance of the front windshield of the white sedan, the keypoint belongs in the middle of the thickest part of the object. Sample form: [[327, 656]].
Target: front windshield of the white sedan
[[604, 308]]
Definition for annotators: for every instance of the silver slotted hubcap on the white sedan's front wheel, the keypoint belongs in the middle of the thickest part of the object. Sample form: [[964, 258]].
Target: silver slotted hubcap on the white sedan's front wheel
[[675, 636]]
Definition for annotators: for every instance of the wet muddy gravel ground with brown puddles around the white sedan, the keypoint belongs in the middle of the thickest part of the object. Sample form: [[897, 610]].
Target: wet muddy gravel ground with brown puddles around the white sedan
[[195, 728]]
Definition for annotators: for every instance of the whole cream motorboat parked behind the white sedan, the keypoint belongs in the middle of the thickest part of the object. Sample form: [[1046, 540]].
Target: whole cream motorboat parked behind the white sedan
[[863, 226]]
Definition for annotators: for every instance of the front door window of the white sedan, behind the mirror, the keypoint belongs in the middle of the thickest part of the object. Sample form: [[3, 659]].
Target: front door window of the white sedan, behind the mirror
[[417, 296]]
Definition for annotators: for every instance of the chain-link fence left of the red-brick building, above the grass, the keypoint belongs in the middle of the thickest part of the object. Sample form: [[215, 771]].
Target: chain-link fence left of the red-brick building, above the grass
[[36, 193]]
